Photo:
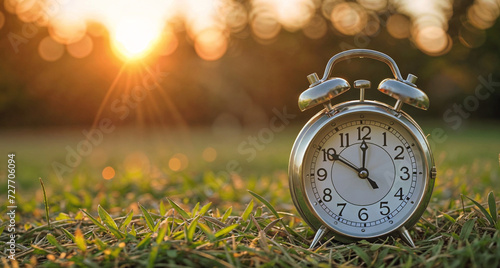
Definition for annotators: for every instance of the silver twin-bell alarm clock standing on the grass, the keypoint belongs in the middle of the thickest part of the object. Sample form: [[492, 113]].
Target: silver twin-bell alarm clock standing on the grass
[[361, 169]]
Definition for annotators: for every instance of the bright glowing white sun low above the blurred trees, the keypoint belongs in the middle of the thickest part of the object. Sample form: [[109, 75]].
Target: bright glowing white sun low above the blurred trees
[[134, 38]]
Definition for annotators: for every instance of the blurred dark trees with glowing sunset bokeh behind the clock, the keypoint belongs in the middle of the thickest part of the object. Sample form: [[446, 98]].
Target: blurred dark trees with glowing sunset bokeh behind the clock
[[228, 63]]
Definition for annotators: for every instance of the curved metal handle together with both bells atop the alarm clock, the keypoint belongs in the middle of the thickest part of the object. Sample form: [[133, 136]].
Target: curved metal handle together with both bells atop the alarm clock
[[322, 90]]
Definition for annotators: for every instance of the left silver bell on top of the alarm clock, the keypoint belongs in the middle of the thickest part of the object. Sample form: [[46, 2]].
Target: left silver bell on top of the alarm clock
[[321, 91]]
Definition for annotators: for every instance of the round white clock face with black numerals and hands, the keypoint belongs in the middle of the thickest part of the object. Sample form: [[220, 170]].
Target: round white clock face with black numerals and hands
[[364, 174]]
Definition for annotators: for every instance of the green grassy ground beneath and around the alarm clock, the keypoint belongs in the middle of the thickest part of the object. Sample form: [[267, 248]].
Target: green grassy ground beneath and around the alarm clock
[[171, 205]]
